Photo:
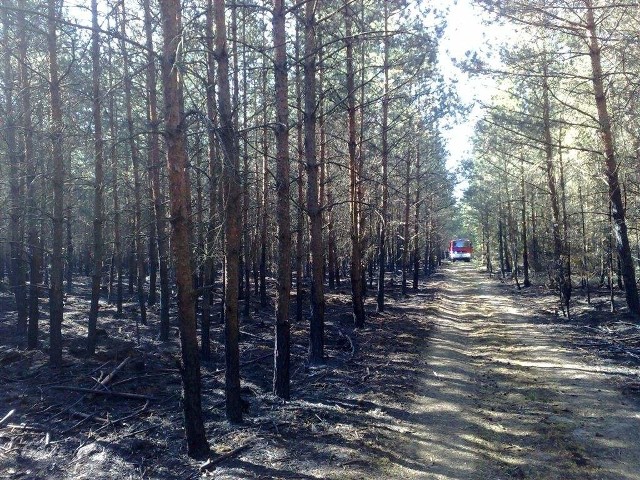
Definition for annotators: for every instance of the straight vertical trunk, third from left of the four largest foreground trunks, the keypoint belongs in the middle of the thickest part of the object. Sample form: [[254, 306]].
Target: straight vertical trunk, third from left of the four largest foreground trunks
[[282, 335]]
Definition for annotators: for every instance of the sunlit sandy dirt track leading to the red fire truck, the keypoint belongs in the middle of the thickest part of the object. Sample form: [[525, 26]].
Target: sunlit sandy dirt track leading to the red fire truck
[[502, 398]]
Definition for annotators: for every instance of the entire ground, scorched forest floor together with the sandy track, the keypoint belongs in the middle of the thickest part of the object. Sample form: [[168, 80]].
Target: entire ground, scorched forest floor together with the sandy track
[[466, 378]]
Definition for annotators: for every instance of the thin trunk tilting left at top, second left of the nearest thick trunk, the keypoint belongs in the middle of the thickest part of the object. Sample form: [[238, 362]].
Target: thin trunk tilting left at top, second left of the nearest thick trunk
[[137, 180]]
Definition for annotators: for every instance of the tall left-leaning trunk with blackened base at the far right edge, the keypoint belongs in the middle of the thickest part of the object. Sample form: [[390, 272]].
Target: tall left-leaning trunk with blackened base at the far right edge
[[611, 166]]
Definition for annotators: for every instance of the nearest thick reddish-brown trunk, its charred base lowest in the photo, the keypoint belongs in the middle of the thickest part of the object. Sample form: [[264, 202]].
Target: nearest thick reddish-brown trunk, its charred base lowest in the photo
[[175, 138]]
